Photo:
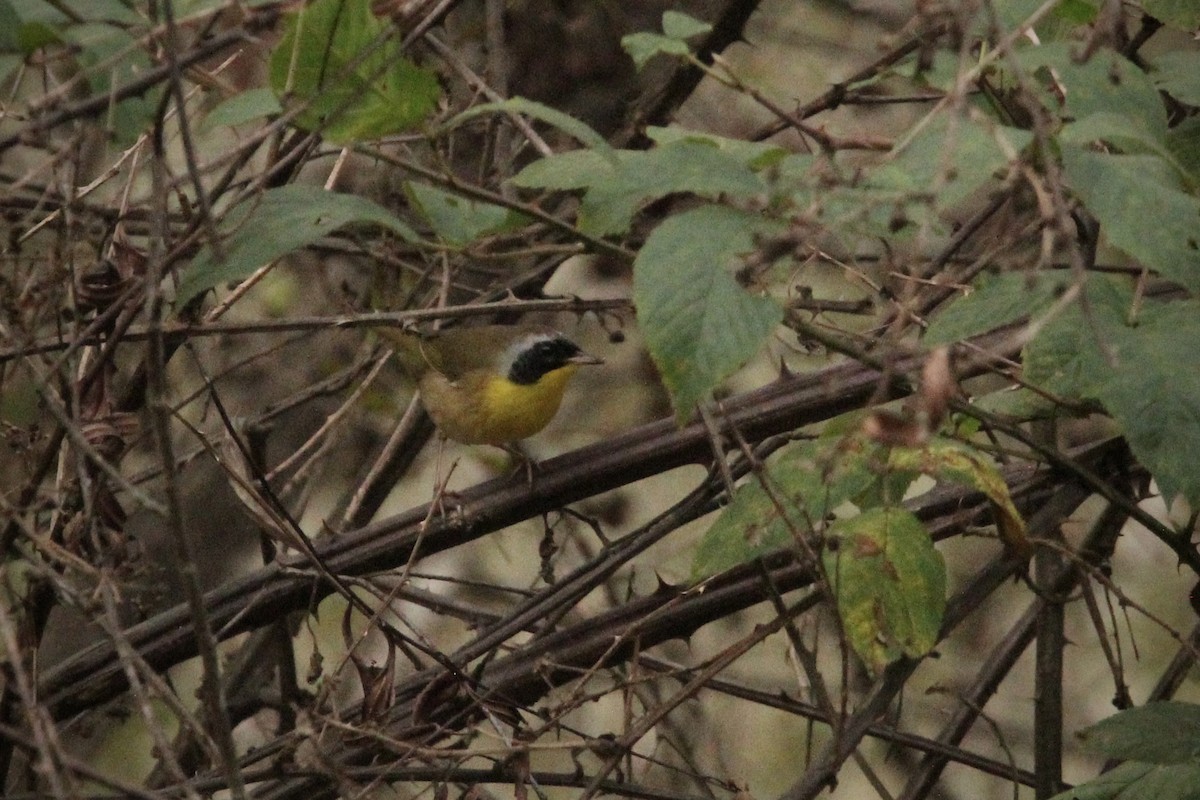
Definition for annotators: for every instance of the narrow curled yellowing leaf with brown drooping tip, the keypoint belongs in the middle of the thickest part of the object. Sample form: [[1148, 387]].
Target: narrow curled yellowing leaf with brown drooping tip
[[947, 461]]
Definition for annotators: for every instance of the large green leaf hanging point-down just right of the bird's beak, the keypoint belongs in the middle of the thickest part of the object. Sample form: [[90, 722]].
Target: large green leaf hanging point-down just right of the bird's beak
[[700, 326]]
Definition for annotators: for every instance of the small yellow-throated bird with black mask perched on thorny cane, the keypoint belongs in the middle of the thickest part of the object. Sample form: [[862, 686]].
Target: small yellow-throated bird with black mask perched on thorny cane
[[494, 384]]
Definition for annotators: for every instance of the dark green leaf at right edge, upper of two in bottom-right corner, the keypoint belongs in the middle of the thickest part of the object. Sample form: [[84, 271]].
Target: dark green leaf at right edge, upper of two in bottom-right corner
[[1156, 733]]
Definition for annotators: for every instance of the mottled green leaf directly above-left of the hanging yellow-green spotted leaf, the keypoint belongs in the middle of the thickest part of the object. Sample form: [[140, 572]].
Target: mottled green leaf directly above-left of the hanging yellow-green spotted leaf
[[807, 484]]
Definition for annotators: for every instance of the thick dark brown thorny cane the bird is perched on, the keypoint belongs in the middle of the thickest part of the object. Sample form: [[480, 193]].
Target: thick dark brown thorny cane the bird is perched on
[[255, 600]]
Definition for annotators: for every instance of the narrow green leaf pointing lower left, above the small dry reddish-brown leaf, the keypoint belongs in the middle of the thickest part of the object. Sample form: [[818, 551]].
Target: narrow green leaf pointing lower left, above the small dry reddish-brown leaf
[[998, 302]]
